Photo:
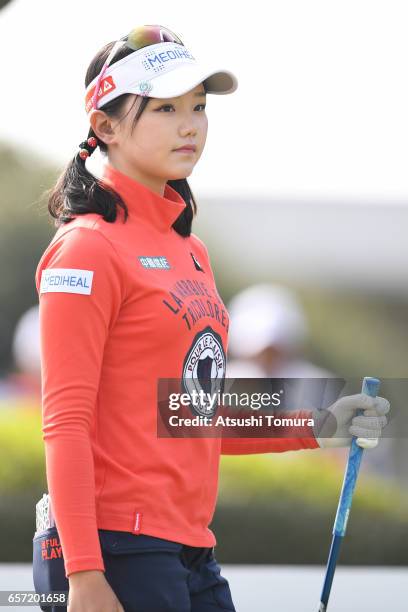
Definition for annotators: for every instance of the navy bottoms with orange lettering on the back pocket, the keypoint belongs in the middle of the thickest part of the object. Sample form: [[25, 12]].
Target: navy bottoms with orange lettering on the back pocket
[[146, 573]]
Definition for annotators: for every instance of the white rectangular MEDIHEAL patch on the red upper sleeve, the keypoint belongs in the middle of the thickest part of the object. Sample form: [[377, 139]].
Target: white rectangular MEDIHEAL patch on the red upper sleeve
[[66, 280]]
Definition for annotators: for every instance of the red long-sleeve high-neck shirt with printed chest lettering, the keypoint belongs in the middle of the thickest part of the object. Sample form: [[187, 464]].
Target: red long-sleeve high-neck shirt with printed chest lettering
[[122, 304]]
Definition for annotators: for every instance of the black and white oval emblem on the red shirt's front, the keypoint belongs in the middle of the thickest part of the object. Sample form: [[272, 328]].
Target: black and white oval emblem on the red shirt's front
[[204, 372]]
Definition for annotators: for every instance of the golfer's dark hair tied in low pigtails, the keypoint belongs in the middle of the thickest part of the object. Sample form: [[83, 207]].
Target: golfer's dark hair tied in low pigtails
[[78, 192]]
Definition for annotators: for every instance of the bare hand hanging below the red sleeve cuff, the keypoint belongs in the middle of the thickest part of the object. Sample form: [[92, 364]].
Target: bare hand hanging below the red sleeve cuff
[[89, 591]]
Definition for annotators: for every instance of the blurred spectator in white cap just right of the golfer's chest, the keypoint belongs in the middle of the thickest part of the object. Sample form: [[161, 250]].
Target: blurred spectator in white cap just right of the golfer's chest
[[267, 335]]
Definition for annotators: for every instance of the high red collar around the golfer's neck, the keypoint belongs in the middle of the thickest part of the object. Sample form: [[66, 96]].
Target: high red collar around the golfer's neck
[[160, 211]]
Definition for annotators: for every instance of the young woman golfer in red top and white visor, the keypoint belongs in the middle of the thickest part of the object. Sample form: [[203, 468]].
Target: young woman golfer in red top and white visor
[[118, 288]]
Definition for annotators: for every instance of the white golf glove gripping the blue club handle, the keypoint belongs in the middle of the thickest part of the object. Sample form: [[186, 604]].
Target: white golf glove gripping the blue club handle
[[335, 425]]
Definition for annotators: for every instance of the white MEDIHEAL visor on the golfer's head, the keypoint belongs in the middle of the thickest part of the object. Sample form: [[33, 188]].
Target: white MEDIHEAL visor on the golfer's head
[[165, 70]]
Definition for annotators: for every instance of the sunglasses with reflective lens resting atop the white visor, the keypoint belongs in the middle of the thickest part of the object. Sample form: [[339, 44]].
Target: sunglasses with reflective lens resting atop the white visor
[[139, 37]]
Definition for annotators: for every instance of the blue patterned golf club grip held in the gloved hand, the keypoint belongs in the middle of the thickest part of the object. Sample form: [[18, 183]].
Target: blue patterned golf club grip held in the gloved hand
[[371, 387]]
